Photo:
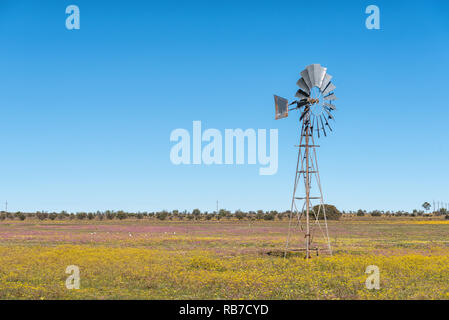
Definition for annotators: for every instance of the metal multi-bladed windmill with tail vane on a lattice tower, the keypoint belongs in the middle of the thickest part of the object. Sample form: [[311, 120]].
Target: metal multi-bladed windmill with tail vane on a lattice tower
[[314, 103]]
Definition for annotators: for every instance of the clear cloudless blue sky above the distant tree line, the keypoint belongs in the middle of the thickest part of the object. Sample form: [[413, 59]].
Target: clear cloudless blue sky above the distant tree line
[[86, 115]]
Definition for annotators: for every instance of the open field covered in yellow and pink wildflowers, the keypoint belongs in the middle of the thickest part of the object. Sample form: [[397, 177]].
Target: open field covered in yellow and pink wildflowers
[[149, 259]]
